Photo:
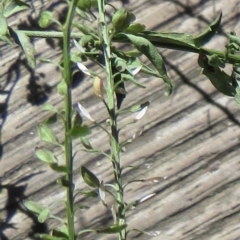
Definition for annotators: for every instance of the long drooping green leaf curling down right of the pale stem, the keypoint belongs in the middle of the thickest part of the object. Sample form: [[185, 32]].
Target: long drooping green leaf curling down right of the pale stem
[[147, 48]]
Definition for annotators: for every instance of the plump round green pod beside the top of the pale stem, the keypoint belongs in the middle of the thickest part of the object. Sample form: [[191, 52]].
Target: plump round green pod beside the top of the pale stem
[[122, 19]]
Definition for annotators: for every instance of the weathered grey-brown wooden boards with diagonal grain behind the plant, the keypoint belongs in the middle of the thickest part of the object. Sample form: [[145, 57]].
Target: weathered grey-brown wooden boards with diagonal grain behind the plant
[[191, 137]]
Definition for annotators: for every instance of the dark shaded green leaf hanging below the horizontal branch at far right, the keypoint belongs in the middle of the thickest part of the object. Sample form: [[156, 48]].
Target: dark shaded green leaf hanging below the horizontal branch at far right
[[220, 80]]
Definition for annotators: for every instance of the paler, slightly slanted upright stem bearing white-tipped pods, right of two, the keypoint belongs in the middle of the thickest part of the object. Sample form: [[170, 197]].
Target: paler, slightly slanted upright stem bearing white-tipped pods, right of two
[[113, 119]]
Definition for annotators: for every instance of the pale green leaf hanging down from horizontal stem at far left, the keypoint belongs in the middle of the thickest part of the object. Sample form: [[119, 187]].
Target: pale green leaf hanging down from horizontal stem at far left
[[27, 47]]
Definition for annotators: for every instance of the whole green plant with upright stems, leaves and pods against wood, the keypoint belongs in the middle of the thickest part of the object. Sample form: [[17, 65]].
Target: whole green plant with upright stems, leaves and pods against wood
[[96, 43]]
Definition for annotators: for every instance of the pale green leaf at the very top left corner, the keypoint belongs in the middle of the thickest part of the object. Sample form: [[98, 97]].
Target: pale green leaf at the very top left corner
[[14, 6]]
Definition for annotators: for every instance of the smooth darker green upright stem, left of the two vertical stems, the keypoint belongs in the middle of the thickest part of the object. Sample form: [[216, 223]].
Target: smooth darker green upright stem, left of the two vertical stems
[[68, 113]]
